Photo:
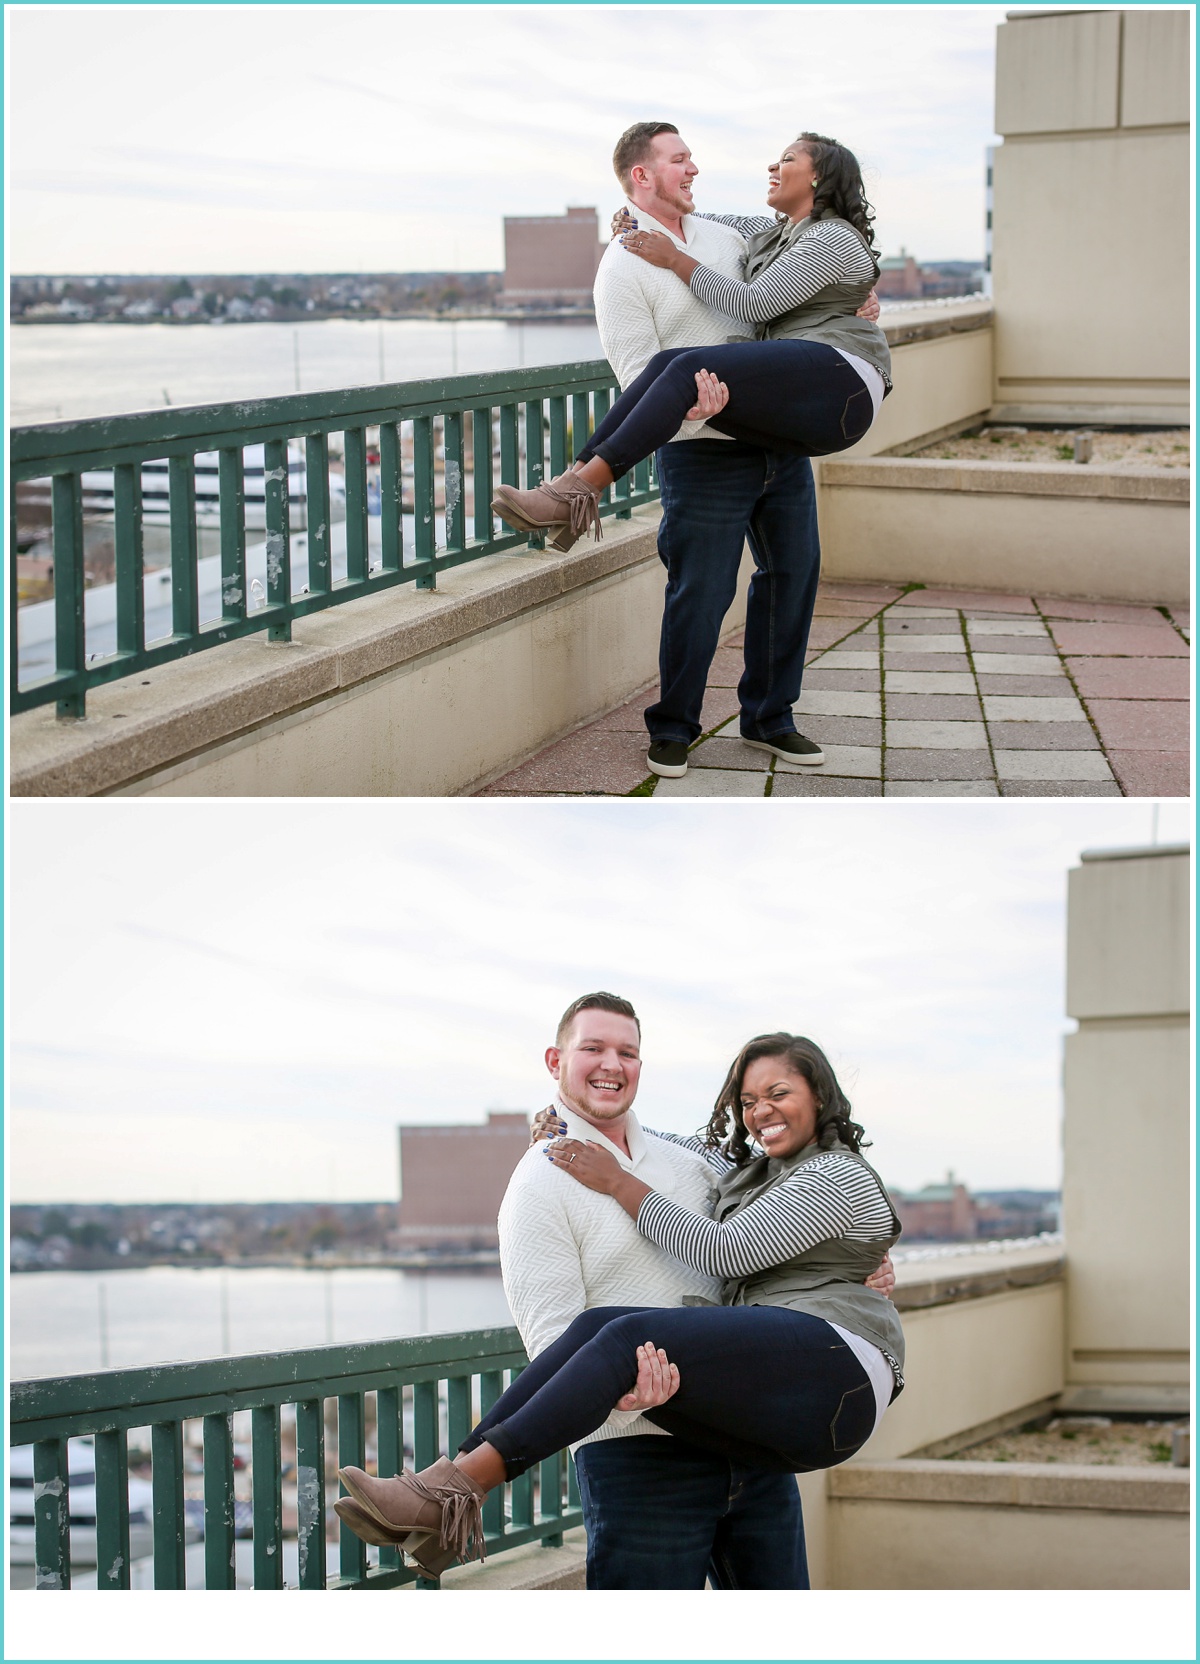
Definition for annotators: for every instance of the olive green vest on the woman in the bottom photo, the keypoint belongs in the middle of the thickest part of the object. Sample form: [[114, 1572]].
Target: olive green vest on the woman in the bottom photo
[[826, 1280]]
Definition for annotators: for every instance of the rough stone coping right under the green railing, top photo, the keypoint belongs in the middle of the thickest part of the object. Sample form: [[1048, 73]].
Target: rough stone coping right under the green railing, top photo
[[177, 710]]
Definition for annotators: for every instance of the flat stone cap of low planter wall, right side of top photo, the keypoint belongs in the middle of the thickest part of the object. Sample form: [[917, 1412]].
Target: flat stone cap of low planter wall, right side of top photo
[[1028, 480]]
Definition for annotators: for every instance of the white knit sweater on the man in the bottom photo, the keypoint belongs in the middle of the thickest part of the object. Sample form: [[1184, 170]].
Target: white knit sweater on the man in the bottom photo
[[565, 1249]]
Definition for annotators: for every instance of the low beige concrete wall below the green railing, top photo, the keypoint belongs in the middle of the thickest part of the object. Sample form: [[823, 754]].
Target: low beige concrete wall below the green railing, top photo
[[588, 618]]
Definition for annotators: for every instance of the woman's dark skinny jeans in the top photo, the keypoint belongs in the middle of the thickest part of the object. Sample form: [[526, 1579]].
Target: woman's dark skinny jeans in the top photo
[[783, 395]]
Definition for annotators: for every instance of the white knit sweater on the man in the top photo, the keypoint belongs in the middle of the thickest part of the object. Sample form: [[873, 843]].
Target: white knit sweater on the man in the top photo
[[642, 310]]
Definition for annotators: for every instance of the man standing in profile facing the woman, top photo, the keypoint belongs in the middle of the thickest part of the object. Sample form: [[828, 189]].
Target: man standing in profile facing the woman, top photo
[[717, 492]]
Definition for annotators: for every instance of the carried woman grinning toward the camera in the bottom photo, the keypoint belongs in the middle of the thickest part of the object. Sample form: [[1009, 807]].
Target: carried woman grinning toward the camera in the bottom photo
[[791, 1374]]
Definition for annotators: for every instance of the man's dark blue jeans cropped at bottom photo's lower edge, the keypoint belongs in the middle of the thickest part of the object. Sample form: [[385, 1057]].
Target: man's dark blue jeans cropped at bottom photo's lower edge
[[665, 1515]]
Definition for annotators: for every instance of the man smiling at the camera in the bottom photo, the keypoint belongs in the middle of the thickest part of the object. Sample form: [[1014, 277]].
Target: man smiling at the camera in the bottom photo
[[660, 1513]]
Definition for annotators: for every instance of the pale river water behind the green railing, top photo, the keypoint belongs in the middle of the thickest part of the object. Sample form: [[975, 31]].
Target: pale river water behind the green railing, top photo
[[64, 372]]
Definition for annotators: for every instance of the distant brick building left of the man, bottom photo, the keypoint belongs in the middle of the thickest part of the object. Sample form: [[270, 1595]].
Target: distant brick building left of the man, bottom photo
[[454, 1181]]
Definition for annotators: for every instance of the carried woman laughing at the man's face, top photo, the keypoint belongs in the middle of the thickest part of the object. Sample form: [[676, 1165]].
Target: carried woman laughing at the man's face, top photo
[[813, 384]]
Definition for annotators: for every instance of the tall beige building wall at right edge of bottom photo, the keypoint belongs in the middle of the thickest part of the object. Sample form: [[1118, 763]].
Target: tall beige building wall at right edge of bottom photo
[[1128, 1131]]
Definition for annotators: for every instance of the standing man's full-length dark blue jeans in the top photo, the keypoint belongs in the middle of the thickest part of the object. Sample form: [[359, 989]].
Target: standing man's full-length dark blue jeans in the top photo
[[717, 495]]
